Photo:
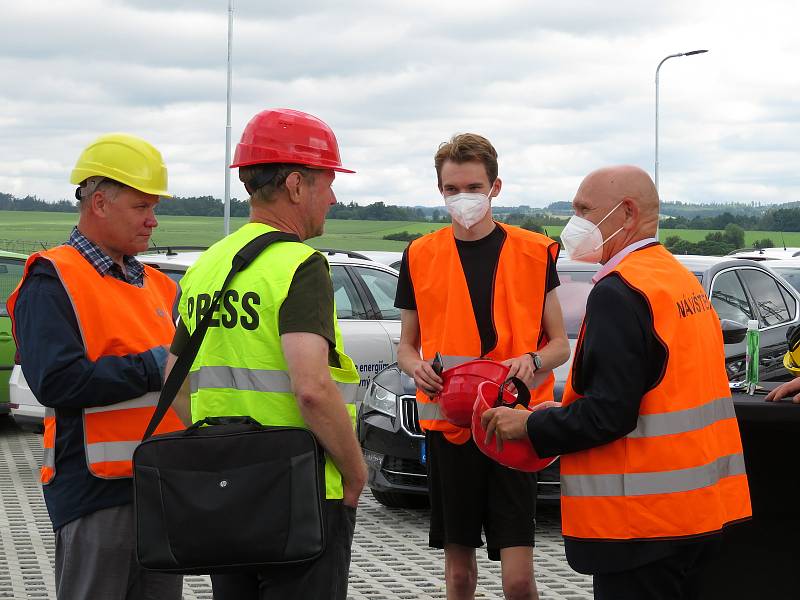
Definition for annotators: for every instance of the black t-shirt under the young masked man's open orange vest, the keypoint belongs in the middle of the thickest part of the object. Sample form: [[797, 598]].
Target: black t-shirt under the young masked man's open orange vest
[[479, 260]]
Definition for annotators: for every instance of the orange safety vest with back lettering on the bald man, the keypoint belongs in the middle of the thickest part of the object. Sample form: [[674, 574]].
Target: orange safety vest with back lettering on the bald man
[[681, 472]]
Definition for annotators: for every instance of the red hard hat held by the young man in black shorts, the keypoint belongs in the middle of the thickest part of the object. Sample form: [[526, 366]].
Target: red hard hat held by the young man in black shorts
[[460, 386]]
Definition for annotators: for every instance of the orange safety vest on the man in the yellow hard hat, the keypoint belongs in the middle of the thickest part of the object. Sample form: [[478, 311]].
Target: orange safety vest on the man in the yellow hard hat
[[115, 319]]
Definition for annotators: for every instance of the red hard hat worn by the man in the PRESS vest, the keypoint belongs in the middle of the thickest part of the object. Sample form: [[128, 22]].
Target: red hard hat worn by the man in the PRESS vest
[[283, 135]]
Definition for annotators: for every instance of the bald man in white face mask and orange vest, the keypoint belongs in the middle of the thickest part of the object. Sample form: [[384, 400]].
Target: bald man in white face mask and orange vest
[[651, 459]]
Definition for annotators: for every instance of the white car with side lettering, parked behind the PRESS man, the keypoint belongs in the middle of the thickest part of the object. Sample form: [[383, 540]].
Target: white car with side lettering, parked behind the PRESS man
[[364, 294]]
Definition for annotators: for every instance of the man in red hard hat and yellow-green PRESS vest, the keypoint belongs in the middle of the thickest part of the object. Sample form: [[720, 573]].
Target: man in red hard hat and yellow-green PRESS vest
[[280, 359]]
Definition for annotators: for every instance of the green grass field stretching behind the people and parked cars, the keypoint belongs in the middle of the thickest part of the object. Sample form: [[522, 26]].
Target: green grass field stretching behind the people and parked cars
[[27, 231]]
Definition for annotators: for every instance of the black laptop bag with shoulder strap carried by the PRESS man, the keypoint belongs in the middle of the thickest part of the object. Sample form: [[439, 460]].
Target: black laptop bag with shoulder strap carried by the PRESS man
[[226, 494]]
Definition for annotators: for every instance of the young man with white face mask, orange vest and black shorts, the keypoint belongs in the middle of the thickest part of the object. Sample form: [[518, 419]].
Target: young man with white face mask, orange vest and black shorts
[[478, 289]]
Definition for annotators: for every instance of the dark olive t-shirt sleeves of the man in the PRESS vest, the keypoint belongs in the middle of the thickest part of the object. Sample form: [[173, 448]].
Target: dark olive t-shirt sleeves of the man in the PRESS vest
[[308, 307]]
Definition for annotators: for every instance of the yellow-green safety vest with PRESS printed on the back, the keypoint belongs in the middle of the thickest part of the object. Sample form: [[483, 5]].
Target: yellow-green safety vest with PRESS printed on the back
[[240, 368]]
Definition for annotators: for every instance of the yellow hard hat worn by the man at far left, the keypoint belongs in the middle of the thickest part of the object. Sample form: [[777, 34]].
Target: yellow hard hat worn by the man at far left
[[124, 158]]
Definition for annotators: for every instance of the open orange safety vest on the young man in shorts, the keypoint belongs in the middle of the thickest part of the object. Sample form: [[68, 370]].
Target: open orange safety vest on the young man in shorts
[[447, 320]]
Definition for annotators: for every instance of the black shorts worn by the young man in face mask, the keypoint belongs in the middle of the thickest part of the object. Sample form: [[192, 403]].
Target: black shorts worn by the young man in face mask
[[470, 492]]
